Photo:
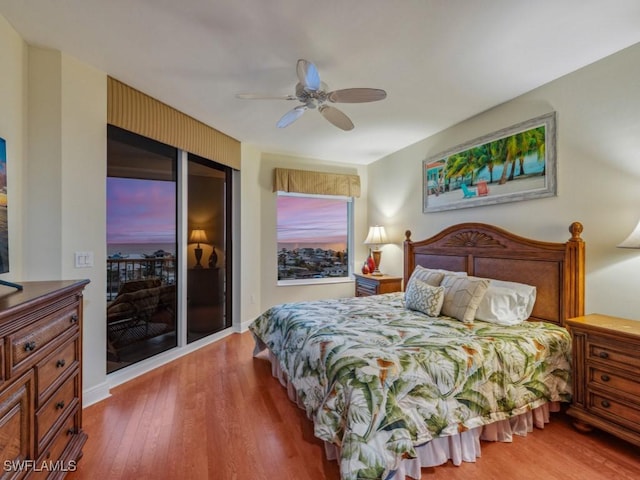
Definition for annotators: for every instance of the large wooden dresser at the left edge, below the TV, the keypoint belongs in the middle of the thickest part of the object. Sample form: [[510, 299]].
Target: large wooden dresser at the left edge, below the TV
[[41, 379]]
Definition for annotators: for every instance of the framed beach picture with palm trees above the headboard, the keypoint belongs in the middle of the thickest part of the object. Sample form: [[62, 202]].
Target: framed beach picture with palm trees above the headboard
[[513, 164]]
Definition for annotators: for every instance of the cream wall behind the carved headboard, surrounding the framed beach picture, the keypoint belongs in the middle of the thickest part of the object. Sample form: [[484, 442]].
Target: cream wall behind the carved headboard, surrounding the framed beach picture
[[598, 156]]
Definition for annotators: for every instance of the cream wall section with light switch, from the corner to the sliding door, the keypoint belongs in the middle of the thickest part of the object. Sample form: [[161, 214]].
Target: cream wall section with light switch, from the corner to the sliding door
[[65, 207]]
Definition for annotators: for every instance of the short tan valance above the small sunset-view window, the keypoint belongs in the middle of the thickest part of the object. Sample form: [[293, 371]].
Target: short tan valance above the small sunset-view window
[[315, 183]]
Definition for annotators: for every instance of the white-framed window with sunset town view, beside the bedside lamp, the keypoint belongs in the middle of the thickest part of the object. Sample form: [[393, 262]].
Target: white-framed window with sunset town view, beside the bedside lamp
[[314, 237]]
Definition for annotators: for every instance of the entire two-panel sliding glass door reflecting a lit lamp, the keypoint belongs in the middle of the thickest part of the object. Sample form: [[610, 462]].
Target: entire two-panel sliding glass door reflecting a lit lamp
[[148, 263]]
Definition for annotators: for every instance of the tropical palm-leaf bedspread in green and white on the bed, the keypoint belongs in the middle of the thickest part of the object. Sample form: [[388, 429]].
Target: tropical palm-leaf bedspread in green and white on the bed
[[378, 379]]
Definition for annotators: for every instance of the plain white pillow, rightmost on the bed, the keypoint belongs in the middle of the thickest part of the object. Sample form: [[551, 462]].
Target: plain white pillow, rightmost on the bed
[[507, 303]]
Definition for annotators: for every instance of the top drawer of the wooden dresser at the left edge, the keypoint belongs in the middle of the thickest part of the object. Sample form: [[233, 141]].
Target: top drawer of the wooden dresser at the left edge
[[28, 342]]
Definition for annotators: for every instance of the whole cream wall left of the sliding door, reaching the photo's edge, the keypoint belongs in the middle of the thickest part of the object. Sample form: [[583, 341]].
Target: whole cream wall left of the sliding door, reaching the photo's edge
[[54, 121]]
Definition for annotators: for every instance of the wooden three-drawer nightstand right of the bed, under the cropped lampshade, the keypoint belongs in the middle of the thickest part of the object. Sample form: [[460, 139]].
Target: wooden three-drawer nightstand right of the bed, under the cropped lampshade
[[606, 375]]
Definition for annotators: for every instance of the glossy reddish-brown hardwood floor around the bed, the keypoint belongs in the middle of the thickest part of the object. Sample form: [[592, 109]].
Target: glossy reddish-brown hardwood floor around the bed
[[219, 414]]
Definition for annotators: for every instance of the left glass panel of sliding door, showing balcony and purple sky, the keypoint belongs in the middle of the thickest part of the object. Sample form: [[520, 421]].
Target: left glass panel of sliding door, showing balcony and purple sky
[[141, 248]]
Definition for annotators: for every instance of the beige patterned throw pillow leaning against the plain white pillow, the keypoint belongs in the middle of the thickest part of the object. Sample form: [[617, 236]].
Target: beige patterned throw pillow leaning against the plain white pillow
[[462, 295]]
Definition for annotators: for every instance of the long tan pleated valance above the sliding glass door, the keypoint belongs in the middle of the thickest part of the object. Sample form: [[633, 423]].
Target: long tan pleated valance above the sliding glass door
[[139, 113]]
